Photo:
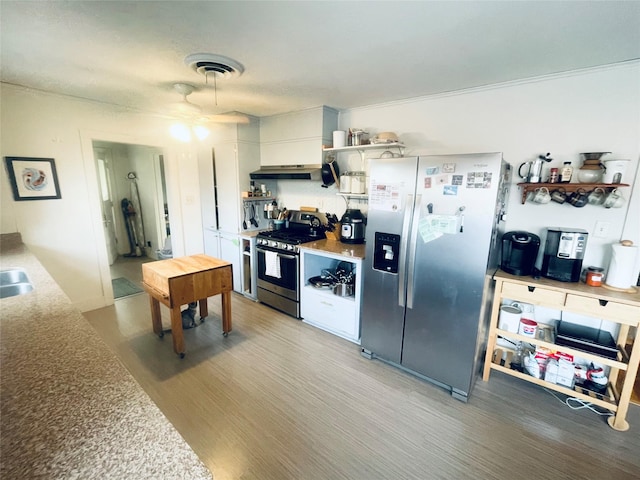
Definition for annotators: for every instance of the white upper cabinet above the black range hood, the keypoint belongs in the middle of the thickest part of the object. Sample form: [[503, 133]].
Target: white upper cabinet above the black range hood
[[296, 138]]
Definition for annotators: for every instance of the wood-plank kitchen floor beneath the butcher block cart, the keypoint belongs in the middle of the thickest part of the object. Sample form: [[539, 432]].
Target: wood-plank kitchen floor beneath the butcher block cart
[[278, 399]]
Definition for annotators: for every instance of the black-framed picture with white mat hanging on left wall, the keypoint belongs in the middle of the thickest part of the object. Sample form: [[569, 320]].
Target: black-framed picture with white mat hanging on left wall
[[33, 178]]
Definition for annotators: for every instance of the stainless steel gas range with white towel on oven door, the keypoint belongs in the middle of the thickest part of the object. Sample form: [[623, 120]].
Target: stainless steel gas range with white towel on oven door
[[279, 260]]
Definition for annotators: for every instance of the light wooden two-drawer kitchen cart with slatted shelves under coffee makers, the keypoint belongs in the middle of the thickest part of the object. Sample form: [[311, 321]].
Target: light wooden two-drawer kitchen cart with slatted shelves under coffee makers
[[618, 307]]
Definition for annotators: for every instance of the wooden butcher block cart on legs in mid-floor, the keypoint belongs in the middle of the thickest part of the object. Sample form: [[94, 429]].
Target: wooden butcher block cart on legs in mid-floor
[[180, 281]]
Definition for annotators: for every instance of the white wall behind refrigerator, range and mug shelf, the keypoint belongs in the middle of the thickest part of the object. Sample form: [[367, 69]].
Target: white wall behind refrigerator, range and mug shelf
[[593, 110]]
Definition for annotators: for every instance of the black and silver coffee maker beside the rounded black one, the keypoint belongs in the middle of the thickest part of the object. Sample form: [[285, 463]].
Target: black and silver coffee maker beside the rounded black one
[[563, 254]]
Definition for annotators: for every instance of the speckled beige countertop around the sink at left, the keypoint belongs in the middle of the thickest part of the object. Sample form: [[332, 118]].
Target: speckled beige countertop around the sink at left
[[69, 407]]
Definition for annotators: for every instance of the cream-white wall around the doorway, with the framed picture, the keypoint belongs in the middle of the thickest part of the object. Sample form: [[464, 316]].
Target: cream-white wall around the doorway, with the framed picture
[[66, 234]]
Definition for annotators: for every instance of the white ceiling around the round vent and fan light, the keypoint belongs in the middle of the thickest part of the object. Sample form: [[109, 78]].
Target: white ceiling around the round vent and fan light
[[303, 54]]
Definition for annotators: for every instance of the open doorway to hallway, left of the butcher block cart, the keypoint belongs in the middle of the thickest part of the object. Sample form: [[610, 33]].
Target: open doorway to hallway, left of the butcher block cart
[[134, 208]]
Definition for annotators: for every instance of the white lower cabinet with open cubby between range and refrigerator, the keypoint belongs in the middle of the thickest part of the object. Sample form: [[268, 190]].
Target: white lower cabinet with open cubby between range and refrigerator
[[320, 307]]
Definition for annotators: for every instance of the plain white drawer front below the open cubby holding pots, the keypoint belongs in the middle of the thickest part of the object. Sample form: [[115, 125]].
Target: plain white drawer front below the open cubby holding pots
[[330, 312]]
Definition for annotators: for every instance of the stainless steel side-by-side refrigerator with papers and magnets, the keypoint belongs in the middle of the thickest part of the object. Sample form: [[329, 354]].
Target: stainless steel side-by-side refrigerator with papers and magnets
[[431, 247]]
